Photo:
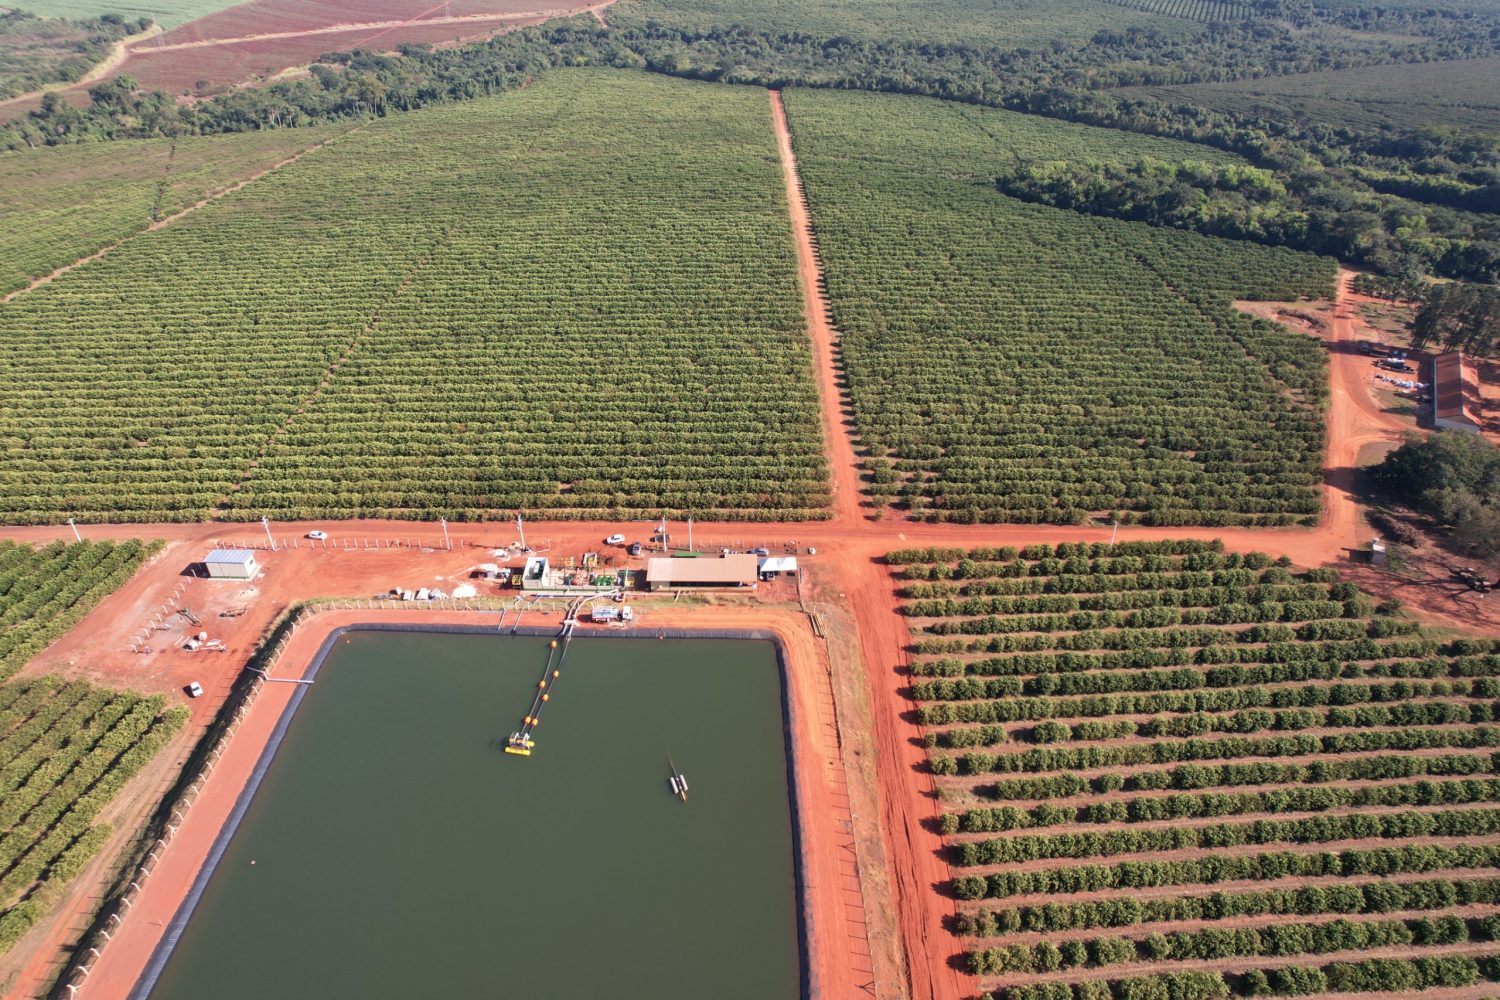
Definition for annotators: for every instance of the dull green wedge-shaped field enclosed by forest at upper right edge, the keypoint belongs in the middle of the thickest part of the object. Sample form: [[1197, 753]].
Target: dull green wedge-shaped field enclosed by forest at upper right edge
[[1460, 92]]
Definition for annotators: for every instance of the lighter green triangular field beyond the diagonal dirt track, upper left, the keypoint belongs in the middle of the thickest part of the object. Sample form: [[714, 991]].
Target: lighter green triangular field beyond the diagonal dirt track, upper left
[[67, 202]]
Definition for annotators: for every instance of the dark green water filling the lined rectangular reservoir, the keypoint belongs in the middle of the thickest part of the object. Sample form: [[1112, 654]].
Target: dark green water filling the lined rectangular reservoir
[[400, 855]]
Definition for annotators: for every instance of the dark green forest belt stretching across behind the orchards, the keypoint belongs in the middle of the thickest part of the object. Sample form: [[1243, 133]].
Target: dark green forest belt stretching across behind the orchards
[[1388, 199]]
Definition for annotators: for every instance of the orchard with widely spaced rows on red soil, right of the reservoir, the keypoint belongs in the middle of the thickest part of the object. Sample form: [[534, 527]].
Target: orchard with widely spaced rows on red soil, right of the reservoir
[[1172, 771]]
